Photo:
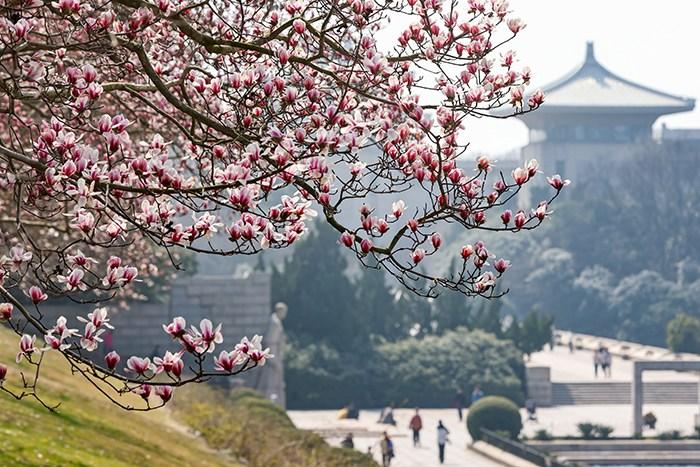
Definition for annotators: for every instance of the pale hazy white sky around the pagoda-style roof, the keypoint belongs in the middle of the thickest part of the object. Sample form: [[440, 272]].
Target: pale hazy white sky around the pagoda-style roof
[[654, 43]]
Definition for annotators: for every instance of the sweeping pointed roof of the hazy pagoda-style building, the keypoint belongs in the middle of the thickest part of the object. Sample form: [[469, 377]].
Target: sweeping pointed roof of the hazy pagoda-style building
[[593, 88]]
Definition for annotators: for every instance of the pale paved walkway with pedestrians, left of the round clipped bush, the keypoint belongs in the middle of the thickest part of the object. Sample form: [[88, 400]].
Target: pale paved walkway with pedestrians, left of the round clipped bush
[[367, 434]]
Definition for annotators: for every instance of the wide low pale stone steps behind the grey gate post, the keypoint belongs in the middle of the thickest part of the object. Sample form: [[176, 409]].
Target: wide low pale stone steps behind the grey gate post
[[617, 392]]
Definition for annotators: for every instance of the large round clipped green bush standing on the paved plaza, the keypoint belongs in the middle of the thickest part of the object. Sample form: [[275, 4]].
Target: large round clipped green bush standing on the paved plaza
[[496, 414]]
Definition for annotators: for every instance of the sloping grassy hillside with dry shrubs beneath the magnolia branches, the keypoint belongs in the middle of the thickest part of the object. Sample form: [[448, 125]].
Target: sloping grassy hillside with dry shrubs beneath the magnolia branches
[[87, 430]]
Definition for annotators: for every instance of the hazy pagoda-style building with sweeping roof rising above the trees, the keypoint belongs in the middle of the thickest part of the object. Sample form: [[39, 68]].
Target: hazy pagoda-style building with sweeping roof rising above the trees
[[592, 115]]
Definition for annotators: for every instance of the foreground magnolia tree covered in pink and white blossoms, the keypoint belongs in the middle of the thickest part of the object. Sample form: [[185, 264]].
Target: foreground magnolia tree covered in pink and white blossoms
[[138, 129]]
